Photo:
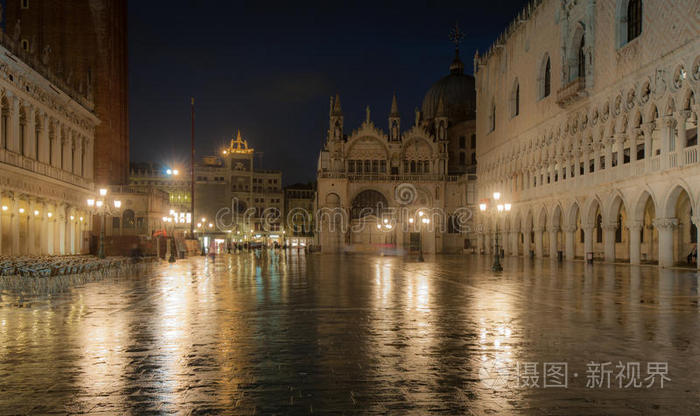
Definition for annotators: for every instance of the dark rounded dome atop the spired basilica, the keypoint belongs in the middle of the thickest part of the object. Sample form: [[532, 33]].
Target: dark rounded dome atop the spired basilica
[[457, 93]]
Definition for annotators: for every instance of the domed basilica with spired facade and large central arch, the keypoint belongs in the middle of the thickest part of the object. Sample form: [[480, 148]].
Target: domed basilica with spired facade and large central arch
[[404, 189]]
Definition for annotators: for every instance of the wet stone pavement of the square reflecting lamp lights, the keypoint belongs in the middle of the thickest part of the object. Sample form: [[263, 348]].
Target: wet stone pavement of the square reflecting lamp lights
[[320, 334]]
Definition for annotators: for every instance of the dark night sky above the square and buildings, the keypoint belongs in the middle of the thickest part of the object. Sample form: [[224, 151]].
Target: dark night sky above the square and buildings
[[269, 70]]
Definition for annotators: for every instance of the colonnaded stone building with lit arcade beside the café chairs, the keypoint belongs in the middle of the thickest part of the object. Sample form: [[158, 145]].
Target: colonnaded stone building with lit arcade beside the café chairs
[[46, 163]]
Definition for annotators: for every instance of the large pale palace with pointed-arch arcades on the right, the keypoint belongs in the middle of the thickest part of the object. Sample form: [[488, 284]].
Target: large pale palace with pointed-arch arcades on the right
[[587, 122]]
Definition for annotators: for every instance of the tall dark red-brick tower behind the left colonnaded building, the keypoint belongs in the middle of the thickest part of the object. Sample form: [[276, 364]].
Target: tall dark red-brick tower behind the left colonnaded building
[[85, 43]]
